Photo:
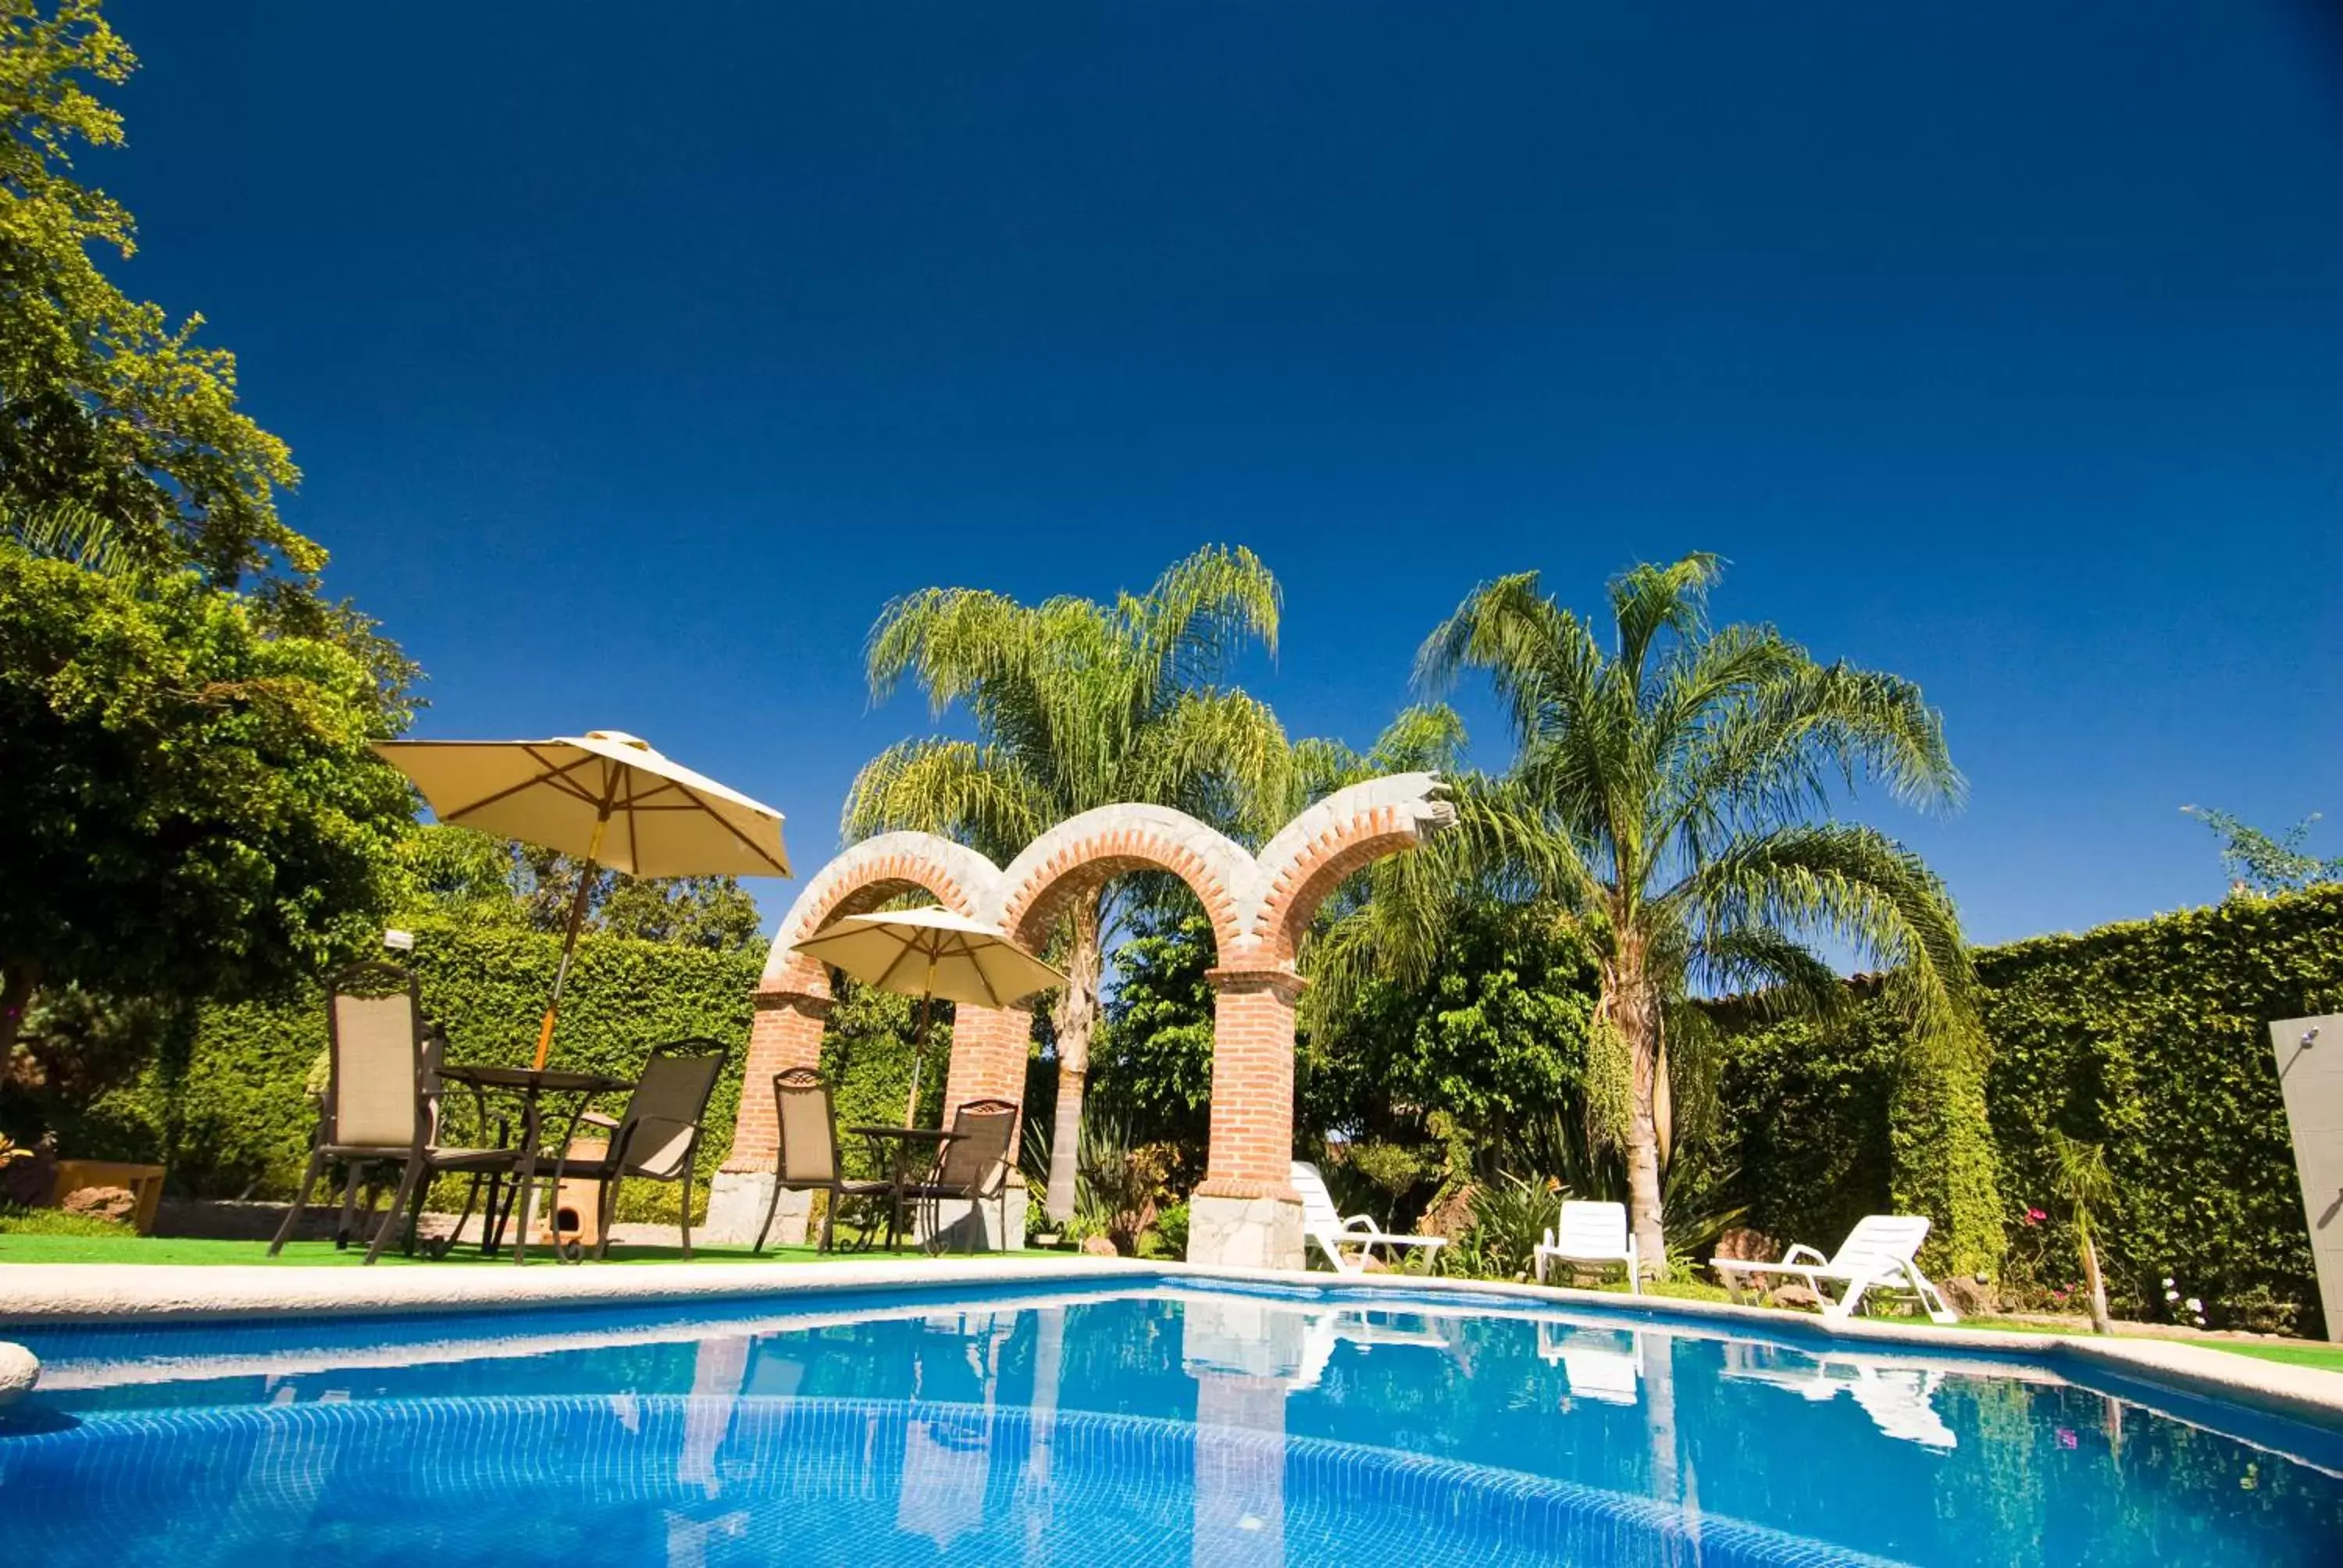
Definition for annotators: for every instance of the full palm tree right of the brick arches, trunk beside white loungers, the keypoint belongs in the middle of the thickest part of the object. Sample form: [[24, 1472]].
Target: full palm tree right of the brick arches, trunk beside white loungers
[[1676, 786]]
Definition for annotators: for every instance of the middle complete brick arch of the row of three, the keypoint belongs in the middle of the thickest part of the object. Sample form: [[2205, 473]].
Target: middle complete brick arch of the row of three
[[1095, 847]]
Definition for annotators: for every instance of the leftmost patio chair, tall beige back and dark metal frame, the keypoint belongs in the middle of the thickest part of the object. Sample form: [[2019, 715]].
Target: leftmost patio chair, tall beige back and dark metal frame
[[383, 1105]]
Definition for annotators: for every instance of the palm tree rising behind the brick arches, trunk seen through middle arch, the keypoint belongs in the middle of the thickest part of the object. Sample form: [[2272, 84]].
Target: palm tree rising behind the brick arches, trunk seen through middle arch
[[1077, 707]]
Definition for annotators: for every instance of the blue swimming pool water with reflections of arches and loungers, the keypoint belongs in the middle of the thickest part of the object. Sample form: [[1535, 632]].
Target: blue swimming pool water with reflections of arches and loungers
[[1116, 1426]]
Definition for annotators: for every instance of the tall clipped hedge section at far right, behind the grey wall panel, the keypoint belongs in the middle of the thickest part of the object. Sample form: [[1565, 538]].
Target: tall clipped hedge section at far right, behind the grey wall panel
[[2152, 1037]]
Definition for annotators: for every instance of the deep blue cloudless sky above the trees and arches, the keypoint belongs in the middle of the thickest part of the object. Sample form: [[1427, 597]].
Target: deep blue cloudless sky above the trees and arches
[[636, 364]]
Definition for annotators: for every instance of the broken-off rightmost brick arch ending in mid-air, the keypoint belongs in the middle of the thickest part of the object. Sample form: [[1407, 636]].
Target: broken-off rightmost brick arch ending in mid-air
[[1344, 833]]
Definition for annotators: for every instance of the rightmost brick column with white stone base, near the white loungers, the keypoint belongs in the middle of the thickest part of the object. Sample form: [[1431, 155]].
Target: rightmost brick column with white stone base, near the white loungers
[[1248, 1213]]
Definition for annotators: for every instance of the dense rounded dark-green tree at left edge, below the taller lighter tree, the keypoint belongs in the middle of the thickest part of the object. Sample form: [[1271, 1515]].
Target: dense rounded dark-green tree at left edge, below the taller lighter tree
[[193, 807]]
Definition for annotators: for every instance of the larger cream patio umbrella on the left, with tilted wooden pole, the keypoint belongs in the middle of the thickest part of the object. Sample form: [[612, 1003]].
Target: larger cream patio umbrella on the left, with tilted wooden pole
[[606, 798]]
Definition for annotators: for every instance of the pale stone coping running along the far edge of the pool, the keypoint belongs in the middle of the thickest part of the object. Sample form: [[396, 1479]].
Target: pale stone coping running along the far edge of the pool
[[53, 1295]]
